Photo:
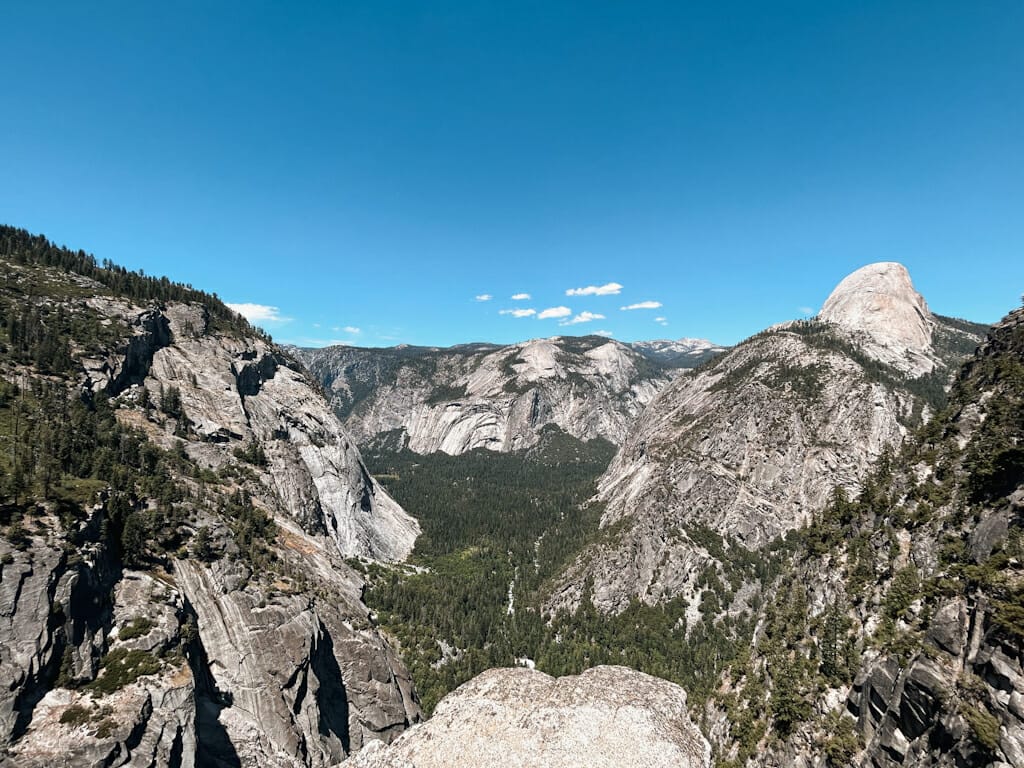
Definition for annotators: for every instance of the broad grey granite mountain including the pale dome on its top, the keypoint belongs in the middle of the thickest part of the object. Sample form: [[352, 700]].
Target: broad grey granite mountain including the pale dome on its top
[[752, 445]]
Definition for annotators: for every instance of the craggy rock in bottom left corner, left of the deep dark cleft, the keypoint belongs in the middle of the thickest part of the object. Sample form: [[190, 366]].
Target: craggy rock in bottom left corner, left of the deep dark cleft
[[59, 621]]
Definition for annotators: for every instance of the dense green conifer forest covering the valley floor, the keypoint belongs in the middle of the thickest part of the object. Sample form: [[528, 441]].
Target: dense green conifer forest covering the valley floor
[[497, 529]]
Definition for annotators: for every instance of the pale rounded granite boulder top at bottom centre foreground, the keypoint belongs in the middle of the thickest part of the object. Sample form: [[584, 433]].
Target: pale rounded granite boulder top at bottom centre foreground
[[608, 716]]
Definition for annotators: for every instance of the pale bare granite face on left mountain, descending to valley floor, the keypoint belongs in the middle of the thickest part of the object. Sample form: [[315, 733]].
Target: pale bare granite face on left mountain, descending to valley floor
[[243, 390]]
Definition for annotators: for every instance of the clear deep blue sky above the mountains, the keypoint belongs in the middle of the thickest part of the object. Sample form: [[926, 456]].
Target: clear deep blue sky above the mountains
[[368, 170]]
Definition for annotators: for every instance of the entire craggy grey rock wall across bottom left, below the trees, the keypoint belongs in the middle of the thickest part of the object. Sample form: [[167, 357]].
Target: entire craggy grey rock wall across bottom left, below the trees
[[245, 674]]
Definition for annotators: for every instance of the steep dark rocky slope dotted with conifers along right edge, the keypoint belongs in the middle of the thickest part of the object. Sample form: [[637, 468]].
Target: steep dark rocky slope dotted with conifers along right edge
[[897, 638]]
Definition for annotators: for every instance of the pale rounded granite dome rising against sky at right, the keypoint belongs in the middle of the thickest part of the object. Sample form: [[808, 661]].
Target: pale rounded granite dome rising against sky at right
[[879, 301]]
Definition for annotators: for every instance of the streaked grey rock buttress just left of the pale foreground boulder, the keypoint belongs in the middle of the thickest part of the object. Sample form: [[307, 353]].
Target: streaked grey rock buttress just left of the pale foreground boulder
[[286, 681]]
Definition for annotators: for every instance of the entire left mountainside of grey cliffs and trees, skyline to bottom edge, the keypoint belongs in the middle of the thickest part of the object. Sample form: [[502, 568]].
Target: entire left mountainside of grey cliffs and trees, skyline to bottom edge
[[189, 603]]
